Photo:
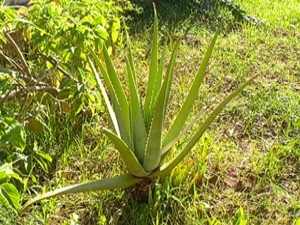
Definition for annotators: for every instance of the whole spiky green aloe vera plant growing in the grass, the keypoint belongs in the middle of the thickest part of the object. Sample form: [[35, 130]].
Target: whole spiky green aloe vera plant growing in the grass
[[139, 126]]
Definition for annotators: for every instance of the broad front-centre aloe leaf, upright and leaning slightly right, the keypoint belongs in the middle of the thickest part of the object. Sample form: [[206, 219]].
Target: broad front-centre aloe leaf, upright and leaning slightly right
[[153, 148]]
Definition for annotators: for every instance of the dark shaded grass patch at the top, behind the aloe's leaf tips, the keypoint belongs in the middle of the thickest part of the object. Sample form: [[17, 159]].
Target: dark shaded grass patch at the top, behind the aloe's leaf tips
[[188, 16]]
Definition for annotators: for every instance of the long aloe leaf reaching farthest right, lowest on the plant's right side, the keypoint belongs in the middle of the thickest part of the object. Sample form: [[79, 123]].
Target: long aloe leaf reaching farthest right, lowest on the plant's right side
[[167, 167]]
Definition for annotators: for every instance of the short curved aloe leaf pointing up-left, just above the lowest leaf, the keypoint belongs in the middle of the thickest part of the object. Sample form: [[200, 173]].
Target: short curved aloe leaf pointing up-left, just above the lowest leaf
[[132, 163]]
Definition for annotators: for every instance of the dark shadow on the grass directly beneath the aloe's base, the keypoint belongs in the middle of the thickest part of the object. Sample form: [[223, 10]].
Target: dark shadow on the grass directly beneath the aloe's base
[[117, 208]]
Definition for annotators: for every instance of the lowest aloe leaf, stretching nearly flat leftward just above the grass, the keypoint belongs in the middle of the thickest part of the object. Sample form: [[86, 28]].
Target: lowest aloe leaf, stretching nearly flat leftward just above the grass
[[121, 181]]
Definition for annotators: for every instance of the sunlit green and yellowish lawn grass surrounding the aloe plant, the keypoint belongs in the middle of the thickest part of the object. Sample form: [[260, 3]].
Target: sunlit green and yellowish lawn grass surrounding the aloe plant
[[245, 168]]
